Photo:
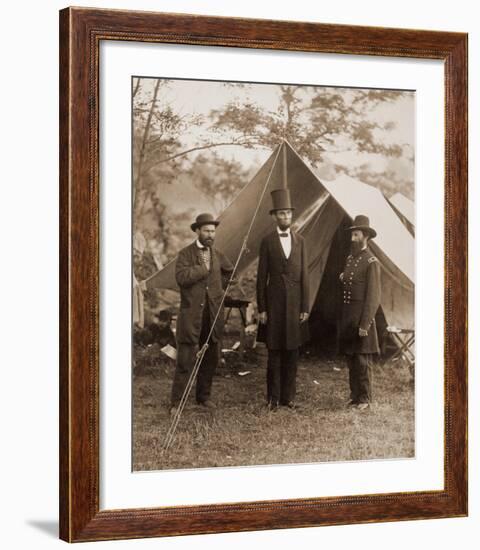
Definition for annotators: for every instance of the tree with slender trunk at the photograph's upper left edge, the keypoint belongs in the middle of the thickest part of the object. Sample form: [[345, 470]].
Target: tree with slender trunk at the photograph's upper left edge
[[159, 157]]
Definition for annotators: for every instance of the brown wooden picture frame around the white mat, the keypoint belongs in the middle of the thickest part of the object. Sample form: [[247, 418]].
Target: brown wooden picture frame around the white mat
[[81, 30]]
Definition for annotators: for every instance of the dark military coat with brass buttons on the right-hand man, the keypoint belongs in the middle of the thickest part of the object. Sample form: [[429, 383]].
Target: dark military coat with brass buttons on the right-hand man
[[361, 300]]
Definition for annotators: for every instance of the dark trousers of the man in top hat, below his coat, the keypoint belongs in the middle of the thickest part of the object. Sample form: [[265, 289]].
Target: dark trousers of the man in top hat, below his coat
[[281, 376]]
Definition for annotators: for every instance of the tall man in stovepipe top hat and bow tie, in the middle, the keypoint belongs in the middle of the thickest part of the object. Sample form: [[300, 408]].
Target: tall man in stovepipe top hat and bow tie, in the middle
[[282, 298]]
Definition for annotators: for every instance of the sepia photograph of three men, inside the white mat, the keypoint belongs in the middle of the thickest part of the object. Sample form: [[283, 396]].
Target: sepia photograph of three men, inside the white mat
[[273, 273]]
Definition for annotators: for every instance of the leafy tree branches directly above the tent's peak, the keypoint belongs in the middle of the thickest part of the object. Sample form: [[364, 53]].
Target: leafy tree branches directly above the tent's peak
[[316, 121]]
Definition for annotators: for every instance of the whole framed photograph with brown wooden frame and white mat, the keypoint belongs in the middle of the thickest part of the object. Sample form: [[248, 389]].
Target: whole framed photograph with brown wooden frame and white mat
[[263, 262]]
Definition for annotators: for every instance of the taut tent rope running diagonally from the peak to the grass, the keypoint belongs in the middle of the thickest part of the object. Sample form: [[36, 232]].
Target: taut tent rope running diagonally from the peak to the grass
[[201, 353]]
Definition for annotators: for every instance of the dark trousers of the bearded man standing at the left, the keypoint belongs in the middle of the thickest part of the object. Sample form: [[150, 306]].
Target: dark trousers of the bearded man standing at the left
[[186, 358]]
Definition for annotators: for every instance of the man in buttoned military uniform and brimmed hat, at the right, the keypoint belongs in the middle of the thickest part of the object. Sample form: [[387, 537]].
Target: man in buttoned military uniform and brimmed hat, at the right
[[361, 299]]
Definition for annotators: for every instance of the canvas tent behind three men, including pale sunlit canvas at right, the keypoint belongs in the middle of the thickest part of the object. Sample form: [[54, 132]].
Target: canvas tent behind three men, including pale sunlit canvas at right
[[323, 211]]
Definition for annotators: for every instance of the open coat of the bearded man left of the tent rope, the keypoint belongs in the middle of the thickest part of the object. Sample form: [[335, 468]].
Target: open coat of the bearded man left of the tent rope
[[200, 287]]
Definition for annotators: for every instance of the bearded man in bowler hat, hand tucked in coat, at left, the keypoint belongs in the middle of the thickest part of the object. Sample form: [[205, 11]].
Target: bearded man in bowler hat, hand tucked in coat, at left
[[202, 273]]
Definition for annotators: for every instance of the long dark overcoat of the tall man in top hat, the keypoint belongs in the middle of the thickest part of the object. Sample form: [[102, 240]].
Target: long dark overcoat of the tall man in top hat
[[282, 291]]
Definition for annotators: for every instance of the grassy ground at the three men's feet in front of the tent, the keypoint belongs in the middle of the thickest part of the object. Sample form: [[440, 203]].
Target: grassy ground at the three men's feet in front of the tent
[[241, 431]]
